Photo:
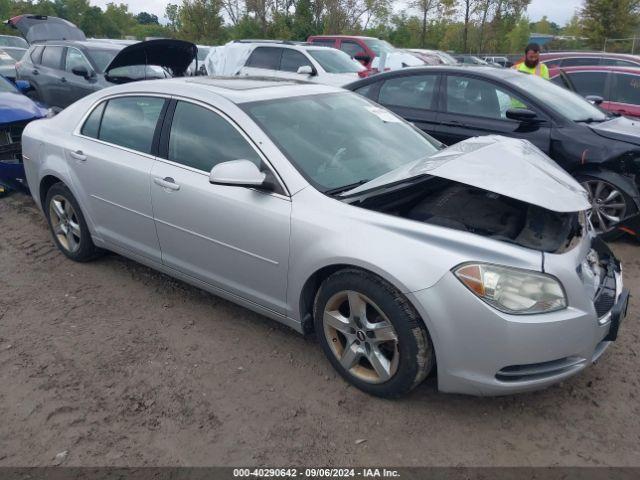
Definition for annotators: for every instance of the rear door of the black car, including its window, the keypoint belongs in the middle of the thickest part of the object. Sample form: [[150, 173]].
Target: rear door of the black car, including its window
[[414, 98]]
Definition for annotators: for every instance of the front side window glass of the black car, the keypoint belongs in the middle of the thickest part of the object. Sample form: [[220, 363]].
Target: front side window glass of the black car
[[472, 96]]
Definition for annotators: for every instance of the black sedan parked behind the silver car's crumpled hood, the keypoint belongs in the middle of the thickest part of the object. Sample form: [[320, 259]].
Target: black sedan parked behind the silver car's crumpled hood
[[451, 104]]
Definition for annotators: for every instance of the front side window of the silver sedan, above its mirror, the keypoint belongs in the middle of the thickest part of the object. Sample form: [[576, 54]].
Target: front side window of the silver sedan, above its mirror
[[201, 139]]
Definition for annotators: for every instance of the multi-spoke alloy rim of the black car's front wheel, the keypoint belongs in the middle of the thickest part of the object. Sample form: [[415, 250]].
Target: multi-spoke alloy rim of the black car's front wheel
[[608, 205]]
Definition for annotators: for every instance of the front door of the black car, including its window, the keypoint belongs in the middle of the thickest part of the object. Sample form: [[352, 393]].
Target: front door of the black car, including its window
[[475, 106]]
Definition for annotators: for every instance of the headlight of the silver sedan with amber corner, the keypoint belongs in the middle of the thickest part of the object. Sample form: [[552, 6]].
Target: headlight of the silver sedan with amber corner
[[511, 290]]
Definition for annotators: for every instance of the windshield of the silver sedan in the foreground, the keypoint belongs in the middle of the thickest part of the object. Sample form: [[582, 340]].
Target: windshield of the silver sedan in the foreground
[[339, 140]]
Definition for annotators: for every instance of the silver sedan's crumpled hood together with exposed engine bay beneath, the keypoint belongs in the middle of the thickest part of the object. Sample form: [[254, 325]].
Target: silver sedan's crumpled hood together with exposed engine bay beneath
[[500, 188]]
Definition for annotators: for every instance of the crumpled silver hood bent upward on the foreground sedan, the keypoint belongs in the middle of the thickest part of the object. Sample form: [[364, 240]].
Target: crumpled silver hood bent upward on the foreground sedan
[[507, 166]]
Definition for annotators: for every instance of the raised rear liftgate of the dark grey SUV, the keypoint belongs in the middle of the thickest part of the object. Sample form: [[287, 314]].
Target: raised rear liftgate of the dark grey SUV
[[42, 28]]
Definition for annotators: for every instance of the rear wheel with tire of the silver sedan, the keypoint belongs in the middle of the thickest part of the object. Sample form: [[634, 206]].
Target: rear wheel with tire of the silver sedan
[[68, 226]]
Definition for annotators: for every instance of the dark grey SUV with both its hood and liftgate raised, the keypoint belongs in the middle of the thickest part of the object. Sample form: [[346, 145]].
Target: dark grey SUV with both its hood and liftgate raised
[[62, 66]]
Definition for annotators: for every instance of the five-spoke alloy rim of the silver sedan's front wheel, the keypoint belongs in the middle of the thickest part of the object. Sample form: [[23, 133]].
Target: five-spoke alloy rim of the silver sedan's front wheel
[[361, 337]]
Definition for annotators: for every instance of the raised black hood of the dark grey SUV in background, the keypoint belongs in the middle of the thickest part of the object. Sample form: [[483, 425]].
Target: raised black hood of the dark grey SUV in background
[[173, 55]]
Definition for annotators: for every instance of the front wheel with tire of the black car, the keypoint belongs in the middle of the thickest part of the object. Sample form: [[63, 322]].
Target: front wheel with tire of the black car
[[609, 205]]
